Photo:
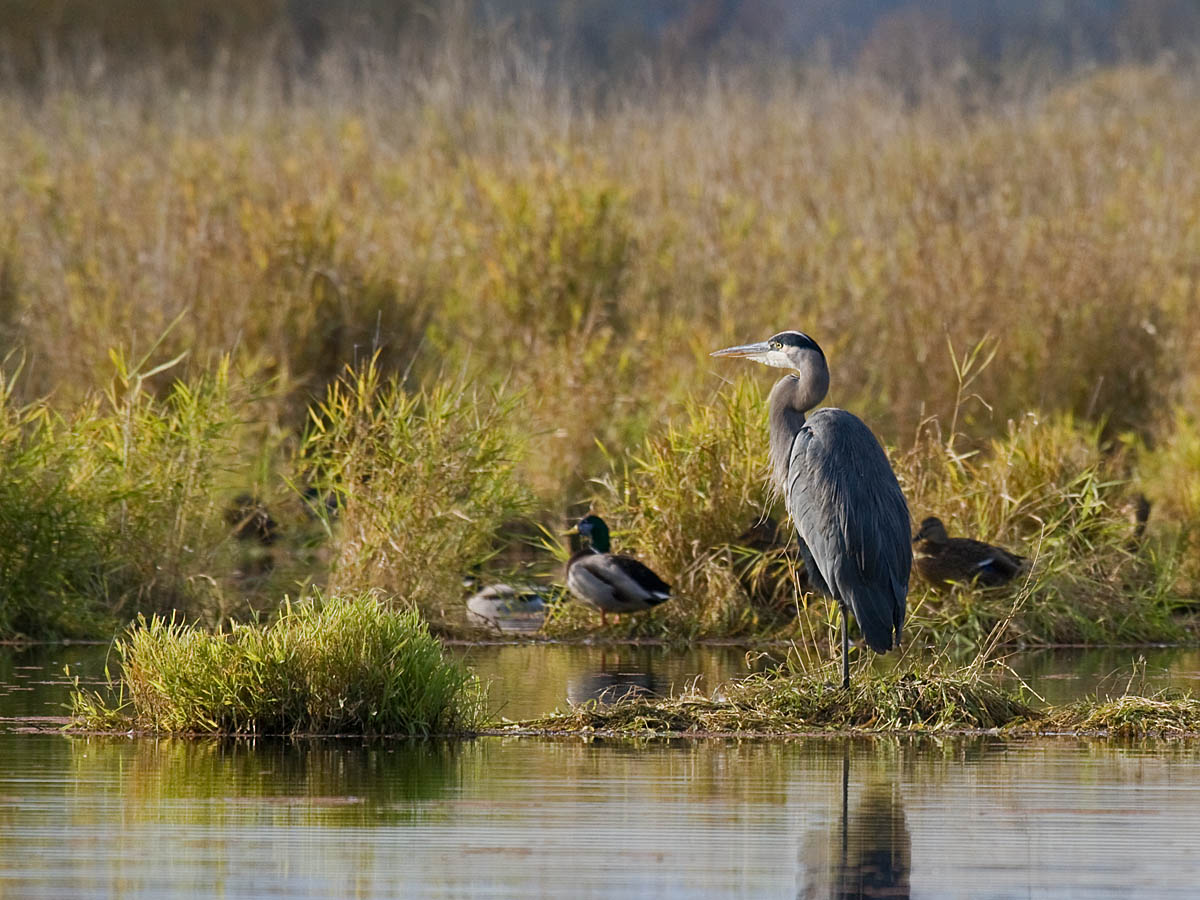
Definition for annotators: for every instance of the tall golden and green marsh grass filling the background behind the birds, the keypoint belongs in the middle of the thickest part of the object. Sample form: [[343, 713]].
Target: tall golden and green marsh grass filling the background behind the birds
[[527, 225]]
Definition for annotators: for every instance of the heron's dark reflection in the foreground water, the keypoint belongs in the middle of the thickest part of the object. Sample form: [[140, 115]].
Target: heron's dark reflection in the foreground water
[[869, 853]]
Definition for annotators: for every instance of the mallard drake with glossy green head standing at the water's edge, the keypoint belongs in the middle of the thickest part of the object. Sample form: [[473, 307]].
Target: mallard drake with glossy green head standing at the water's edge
[[609, 583]]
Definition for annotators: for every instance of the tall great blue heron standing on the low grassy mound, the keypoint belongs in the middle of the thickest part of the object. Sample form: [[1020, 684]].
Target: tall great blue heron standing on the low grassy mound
[[839, 489]]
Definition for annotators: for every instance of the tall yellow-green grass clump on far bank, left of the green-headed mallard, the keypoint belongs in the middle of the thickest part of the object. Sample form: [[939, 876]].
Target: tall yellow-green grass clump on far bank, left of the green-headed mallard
[[423, 483]]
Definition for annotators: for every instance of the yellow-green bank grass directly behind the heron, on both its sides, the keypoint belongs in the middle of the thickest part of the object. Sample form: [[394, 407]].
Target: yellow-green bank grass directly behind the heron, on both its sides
[[1051, 490]]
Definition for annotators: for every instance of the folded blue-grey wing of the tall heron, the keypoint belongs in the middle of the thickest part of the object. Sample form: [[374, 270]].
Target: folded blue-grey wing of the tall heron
[[853, 521]]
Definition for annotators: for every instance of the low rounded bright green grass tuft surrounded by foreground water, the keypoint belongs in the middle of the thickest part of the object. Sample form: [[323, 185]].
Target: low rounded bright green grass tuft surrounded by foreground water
[[326, 665]]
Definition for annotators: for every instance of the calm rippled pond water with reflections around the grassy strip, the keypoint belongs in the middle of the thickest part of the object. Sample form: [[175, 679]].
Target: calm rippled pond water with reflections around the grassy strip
[[515, 818]]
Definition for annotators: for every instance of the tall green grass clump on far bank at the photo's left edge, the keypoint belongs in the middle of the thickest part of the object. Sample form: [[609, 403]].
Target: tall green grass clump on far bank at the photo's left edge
[[115, 509]]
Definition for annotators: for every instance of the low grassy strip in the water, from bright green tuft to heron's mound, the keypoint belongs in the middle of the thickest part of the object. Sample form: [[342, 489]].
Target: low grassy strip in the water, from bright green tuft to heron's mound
[[353, 667]]
